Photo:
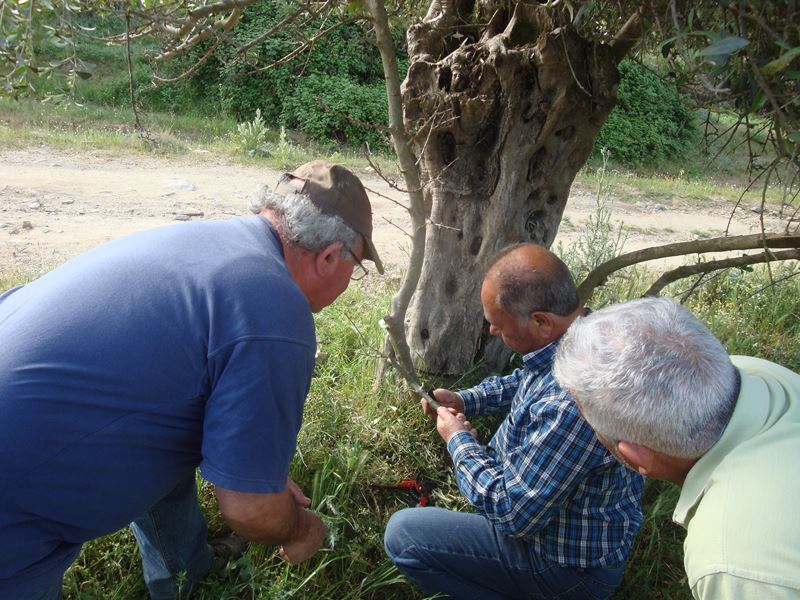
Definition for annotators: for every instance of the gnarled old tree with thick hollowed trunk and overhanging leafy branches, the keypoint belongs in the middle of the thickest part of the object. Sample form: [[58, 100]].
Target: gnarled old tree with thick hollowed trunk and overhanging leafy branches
[[499, 108]]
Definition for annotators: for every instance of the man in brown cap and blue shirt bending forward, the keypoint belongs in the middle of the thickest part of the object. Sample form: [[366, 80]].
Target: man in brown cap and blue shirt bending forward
[[126, 368]]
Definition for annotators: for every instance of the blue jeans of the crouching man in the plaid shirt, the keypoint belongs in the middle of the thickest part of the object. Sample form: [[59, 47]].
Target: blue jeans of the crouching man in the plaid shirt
[[461, 555]]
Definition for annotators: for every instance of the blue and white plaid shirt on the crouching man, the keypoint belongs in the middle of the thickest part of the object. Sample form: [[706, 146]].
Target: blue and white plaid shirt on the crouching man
[[544, 475]]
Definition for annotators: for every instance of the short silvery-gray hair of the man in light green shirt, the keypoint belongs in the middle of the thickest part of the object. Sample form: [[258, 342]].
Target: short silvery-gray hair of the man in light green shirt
[[649, 372]]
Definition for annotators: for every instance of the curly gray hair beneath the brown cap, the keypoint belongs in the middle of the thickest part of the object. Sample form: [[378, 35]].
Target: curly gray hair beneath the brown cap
[[302, 222]]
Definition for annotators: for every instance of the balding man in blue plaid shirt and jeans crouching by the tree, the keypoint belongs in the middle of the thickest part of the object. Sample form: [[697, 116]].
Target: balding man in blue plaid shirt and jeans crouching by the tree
[[556, 514]]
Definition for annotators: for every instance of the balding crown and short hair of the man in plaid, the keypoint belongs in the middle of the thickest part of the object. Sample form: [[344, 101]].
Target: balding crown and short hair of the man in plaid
[[523, 288]]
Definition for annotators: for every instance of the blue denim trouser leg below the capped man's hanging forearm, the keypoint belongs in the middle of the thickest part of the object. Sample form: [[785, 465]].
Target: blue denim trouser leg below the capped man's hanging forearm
[[172, 543]]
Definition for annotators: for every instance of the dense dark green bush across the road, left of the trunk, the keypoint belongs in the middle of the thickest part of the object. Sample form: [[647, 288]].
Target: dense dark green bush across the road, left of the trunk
[[333, 92]]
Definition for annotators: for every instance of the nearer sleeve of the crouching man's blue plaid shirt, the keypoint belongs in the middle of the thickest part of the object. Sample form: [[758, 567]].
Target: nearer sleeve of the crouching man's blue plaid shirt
[[521, 494]]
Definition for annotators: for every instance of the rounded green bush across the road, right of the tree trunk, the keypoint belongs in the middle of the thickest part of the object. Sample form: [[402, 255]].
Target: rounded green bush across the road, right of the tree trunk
[[651, 122]]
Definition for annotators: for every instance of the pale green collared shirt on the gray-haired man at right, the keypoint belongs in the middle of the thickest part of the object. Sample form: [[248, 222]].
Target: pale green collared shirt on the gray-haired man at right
[[740, 503]]
